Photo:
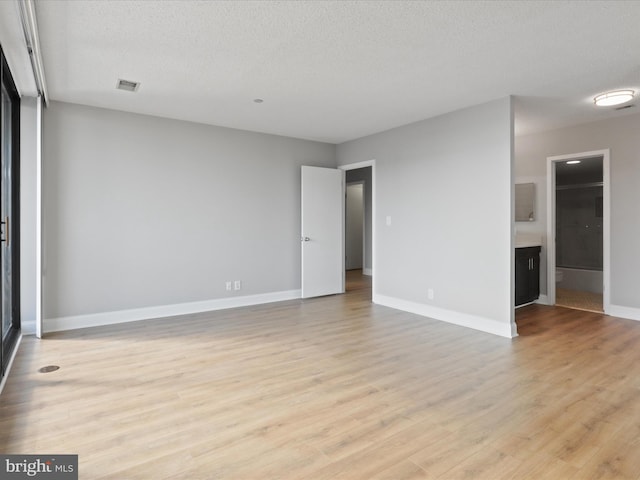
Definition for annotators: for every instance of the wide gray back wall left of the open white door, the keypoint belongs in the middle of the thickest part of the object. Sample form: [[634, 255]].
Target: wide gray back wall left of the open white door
[[143, 211]]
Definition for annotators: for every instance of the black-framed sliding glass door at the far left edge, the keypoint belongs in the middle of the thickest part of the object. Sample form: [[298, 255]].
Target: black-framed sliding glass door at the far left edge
[[9, 218]]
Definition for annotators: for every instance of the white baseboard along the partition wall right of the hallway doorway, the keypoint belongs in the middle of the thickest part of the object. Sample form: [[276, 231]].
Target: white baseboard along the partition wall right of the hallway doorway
[[450, 316]]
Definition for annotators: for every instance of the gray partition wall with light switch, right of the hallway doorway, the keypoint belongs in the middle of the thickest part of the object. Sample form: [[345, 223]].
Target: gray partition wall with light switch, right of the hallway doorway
[[446, 185]]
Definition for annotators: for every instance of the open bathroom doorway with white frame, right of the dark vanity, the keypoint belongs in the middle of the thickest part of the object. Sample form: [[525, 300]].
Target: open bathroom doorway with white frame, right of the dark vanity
[[579, 231]]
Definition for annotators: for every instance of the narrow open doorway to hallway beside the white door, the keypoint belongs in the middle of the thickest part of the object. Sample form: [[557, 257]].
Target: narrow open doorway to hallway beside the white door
[[359, 227]]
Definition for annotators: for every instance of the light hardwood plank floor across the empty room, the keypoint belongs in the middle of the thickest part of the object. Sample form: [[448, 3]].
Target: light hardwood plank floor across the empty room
[[333, 387]]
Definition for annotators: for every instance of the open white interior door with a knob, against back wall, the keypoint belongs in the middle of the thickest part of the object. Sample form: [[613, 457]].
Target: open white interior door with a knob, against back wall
[[322, 233]]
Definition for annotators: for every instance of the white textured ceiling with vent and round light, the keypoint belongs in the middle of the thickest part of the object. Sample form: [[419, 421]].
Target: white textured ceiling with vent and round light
[[338, 70]]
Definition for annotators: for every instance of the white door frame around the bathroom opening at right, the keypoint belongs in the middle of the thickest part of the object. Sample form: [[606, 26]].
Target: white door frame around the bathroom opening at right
[[606, 223]]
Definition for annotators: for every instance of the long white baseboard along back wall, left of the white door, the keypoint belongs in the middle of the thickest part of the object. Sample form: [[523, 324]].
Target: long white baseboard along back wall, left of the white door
[[122, 316]]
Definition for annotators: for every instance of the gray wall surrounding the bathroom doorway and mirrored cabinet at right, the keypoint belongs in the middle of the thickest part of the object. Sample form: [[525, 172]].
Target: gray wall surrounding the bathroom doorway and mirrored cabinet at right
[[621, 136]]
